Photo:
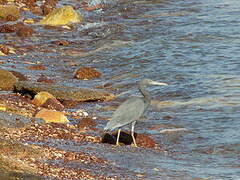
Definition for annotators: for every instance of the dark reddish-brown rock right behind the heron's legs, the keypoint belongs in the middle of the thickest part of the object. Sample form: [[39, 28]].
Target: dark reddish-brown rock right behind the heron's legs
[[126, 138]]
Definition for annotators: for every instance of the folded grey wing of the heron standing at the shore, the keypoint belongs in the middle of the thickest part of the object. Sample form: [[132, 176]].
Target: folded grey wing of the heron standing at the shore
[[126, 113]]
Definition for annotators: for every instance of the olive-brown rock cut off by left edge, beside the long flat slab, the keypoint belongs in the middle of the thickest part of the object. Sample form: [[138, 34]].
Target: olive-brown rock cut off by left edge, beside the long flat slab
[[7, 80]]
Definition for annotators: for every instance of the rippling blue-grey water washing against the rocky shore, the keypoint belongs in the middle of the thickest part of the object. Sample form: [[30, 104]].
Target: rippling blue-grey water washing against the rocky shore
[[191, 45]]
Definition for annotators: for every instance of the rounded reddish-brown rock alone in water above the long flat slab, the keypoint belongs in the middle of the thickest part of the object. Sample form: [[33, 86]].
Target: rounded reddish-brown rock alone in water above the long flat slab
[[86, 73]]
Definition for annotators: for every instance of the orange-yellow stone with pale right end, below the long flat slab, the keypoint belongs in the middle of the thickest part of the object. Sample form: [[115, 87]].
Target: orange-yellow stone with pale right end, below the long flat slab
[[52, 116]]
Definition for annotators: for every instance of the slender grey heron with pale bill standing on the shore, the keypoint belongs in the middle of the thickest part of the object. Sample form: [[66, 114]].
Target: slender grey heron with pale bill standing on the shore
[[131, 110]]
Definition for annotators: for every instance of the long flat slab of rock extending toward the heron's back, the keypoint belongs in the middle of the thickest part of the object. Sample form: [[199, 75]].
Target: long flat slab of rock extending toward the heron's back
[[62, 92]]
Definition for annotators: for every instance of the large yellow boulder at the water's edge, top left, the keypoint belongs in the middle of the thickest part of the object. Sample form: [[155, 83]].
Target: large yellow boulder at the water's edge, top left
[[61, 16]]
